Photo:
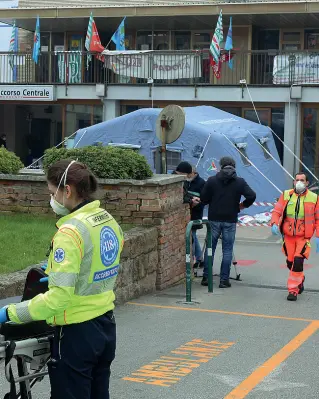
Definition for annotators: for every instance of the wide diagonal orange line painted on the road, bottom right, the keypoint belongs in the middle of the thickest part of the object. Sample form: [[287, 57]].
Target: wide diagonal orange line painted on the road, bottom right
[[244, 388]]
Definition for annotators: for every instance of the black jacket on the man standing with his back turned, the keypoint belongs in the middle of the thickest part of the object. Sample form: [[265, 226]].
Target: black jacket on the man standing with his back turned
[[223, 193]]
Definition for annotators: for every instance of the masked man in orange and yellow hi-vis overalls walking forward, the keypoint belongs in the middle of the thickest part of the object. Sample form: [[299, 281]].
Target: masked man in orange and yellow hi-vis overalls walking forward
[[296, 217]]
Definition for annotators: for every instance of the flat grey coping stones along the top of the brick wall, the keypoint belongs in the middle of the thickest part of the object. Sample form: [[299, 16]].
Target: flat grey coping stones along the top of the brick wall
[[156, 180]]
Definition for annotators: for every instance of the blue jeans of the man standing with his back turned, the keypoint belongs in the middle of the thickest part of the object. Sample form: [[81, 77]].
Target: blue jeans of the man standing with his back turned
[[227, 231]]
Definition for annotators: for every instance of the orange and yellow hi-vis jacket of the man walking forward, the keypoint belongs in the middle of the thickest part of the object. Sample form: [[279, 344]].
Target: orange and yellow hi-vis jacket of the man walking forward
[[297, 214]]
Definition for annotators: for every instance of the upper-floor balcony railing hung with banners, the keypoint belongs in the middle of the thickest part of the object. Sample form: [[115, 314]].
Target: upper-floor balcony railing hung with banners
[[263, 68]]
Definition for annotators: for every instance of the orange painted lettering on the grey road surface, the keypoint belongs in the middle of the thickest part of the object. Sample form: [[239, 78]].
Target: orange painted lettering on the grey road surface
[[168, 370]]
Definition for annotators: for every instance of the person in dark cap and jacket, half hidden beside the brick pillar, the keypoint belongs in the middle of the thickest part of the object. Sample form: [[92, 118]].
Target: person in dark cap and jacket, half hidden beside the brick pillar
[[192, 190]]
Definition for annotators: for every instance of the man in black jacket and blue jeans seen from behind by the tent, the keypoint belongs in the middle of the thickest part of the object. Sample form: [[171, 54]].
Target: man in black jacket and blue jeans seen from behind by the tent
[[223, 193]]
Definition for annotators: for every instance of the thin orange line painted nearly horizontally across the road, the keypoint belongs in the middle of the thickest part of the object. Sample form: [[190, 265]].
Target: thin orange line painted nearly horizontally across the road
[[264, 316]]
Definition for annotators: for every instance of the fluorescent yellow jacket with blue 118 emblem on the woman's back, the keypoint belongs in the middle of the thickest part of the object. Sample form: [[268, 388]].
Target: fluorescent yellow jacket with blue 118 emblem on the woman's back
[[82, 267]]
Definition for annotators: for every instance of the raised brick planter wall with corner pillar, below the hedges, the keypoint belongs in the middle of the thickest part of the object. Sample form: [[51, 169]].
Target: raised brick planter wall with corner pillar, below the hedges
[[154, 202]]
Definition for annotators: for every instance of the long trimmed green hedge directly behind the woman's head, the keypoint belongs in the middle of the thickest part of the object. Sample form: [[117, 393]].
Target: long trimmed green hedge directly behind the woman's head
[[105, 162]]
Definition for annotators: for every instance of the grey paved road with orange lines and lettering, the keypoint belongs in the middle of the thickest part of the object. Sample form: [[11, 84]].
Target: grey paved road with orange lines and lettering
[[244, 342]]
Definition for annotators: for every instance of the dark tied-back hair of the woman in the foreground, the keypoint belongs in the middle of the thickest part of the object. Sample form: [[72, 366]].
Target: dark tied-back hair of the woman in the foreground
[[78, 176]]
